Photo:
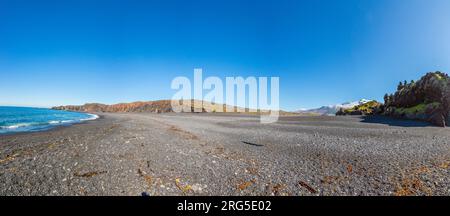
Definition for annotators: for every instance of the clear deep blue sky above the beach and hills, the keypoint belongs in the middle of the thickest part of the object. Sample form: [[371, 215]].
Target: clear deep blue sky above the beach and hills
[[324, 51]]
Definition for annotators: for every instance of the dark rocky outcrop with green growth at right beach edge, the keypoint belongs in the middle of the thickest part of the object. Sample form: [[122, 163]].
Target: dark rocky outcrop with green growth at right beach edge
[[427, 99]]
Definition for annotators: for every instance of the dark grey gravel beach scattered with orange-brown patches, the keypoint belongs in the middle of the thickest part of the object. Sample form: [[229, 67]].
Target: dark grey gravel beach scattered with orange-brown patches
[[228, 154]]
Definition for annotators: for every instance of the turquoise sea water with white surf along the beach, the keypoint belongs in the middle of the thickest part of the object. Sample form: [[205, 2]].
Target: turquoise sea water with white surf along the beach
[[25, 119]]
